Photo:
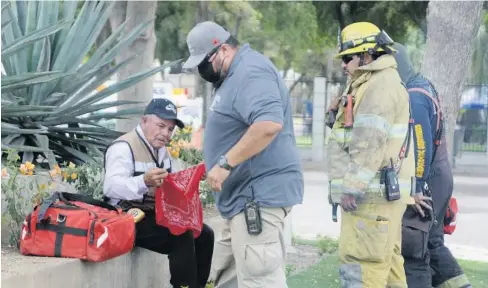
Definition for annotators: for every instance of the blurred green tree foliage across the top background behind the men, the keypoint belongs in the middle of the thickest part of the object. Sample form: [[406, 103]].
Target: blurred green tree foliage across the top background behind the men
[[302, 36]]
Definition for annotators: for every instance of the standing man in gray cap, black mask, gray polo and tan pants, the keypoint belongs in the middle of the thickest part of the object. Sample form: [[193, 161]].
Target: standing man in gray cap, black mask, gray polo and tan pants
[[251, 157]]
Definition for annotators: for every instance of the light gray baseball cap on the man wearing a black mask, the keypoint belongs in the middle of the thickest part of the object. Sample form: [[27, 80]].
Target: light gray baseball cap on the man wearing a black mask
[[201, 40]]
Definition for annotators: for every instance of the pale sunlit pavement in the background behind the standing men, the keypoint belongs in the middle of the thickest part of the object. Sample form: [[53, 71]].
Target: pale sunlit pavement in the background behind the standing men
[[469, 241]]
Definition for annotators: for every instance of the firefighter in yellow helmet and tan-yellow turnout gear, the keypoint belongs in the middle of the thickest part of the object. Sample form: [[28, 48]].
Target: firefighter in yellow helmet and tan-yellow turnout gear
[[370, 169]]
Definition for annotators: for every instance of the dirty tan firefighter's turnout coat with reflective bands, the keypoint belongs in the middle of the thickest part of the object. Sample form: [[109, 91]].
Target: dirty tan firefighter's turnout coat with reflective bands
[[381, 122]]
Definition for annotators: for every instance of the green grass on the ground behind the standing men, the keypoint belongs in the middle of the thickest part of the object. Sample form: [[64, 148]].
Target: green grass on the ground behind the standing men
[[325, 273]]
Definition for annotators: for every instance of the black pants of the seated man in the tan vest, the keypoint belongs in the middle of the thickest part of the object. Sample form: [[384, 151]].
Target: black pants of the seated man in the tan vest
[[189, 258]]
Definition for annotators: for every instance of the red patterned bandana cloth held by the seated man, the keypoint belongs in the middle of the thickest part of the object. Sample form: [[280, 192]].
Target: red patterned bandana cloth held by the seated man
[[178, 205]]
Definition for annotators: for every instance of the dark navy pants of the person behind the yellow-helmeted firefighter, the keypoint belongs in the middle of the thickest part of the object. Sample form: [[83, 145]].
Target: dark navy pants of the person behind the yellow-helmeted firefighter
[[436, 267]]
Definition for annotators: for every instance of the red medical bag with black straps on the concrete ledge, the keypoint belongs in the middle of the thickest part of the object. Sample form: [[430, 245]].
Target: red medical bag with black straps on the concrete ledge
[[76, 226]]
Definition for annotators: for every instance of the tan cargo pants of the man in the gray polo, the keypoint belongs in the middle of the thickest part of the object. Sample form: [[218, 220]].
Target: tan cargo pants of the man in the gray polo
[[251, 261]]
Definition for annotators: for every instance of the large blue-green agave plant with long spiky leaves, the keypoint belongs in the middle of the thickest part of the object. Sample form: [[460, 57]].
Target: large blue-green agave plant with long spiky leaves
[[50, 105]]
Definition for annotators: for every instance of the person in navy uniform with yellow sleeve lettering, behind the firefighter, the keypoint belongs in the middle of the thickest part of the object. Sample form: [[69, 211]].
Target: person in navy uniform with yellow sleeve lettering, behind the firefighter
[[428, 262]]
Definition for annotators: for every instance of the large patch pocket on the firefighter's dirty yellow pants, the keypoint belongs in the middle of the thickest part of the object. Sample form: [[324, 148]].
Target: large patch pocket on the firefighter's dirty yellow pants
[[363, 238]]
